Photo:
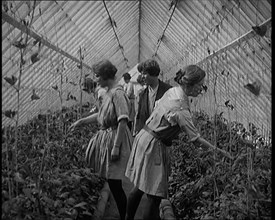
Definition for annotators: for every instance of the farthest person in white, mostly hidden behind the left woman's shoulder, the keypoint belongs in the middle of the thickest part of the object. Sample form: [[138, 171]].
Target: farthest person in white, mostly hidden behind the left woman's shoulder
[[129, 89]]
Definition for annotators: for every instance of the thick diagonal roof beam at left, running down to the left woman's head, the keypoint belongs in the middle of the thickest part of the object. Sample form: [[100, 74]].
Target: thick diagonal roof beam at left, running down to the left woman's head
[[36, 36]]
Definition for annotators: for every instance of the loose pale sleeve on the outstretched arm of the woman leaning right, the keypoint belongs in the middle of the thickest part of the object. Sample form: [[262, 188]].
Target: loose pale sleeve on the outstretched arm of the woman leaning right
[[184, 120]]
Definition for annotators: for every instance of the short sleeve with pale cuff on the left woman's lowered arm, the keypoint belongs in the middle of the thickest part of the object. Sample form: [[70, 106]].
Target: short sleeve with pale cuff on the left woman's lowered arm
[[121, 103]]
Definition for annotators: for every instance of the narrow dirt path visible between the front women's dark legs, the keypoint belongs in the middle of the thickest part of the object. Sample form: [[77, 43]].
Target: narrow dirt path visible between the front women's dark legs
[[111, 212]]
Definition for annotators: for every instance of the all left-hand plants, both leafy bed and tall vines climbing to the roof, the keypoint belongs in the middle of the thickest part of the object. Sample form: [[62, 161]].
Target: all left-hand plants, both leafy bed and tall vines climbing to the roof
[[43, 170]]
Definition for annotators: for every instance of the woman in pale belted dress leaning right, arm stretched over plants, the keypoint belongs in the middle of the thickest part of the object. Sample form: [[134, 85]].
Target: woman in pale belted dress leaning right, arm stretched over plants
[[147, 167]]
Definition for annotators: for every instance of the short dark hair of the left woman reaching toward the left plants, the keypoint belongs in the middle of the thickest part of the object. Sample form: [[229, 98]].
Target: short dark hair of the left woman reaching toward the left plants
[[105, 69]]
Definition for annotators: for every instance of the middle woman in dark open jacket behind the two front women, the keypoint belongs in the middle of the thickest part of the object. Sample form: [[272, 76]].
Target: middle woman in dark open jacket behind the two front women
[[147, 97]]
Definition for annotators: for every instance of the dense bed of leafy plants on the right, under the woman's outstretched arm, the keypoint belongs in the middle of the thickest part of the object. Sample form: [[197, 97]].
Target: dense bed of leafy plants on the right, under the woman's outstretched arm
[[205, 185]]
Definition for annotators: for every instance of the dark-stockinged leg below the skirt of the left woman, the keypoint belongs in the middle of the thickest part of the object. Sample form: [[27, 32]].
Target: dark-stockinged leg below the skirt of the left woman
[[119, 196]]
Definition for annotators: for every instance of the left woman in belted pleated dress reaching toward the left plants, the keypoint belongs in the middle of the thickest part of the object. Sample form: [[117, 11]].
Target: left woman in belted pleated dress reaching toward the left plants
[[110, 148]]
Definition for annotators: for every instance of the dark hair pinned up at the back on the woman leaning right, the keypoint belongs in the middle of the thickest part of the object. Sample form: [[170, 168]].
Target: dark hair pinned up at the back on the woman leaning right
[[190, 75]]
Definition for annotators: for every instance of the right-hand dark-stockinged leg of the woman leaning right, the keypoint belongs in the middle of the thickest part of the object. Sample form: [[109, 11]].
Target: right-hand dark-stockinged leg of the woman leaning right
[[152, 208]]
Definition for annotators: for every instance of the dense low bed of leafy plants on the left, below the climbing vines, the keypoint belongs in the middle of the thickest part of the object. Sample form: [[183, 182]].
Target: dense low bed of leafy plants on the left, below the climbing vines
[[51, 180]]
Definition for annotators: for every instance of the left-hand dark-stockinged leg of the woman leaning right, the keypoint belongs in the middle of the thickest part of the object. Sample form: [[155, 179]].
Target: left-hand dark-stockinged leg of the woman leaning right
[[133, 201]]
